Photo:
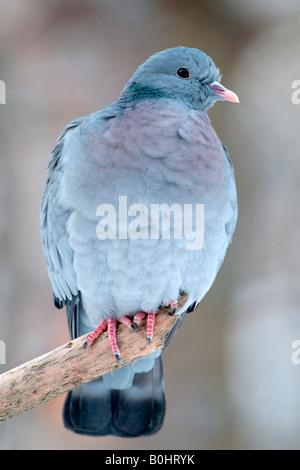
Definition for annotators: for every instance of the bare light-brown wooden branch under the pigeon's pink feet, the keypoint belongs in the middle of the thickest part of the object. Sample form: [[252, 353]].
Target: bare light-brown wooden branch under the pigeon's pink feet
[[65, 368]]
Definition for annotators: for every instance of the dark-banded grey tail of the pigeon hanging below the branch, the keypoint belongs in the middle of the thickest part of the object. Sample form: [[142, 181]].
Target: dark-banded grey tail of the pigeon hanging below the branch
[[97, 409]]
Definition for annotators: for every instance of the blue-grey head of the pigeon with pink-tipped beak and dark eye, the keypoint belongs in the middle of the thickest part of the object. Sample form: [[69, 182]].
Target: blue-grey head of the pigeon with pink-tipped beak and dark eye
[[184, 74]]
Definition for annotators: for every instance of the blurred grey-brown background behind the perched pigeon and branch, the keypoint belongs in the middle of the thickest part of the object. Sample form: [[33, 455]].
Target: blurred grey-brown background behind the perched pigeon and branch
[[230, 381]]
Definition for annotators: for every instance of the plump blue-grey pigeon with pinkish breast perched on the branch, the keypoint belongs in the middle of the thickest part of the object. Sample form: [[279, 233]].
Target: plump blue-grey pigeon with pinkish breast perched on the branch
[[139, 208]]
